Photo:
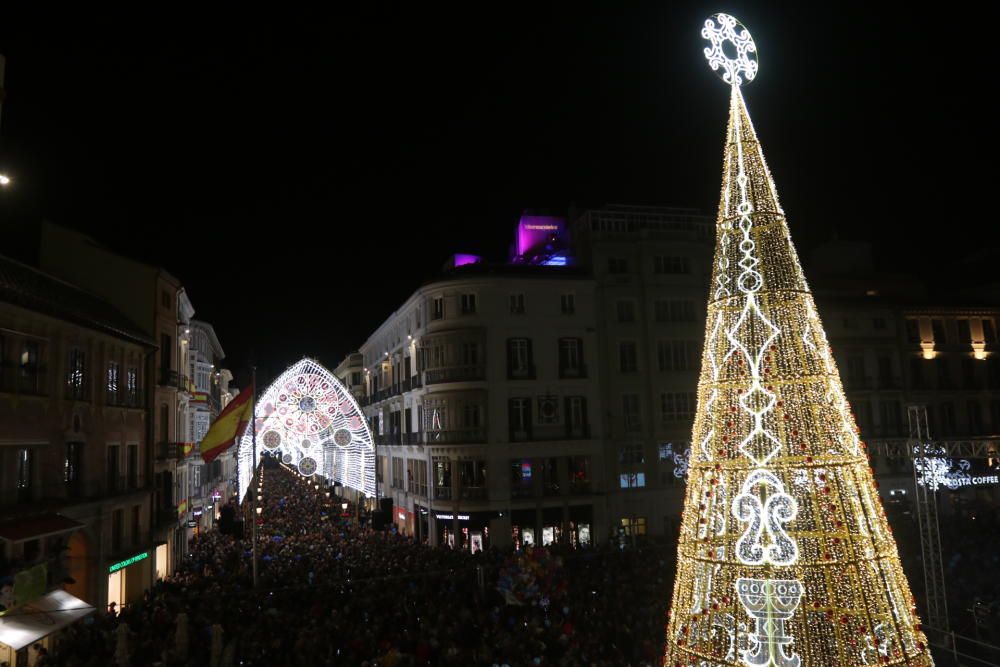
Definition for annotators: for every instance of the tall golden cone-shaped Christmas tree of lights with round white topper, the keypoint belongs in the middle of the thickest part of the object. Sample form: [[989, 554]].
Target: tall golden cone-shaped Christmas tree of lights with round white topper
[[785, 554]]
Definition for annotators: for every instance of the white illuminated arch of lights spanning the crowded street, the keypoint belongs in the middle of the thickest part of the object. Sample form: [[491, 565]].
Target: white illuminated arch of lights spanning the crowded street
[[309, 419]]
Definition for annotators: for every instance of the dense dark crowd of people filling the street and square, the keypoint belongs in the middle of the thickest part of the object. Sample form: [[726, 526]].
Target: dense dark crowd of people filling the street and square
[[335, 592]]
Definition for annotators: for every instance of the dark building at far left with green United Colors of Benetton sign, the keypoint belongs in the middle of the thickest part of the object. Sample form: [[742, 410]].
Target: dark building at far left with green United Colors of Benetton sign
[[75, 488]]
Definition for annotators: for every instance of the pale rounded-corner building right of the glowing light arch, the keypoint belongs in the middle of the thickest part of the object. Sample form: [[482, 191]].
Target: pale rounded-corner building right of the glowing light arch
[[482, 396]]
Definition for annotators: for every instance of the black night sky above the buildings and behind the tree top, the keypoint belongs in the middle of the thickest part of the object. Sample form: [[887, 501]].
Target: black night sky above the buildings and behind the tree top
[[320, 165]]
